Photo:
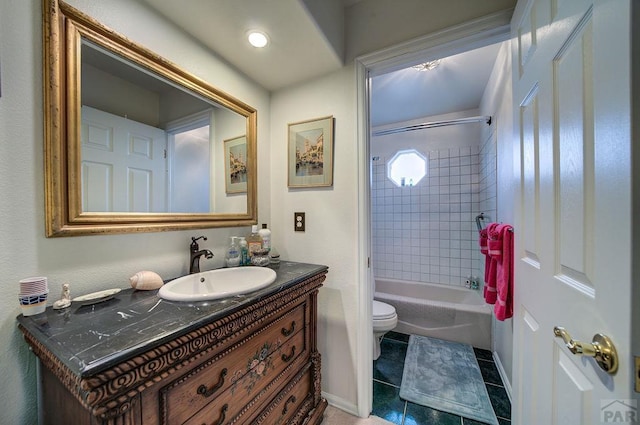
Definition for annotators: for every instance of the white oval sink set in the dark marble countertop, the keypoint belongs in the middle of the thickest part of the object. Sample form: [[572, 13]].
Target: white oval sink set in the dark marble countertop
[[216, 284]]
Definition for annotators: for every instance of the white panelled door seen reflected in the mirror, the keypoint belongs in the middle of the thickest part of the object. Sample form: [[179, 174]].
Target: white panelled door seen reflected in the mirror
[[123, 164]]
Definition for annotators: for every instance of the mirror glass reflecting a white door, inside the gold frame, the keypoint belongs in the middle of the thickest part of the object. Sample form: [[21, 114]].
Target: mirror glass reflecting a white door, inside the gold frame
[[149, 145]]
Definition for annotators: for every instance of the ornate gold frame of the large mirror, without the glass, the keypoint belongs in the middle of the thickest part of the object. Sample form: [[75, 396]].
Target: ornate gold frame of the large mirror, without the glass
[[64, 28]]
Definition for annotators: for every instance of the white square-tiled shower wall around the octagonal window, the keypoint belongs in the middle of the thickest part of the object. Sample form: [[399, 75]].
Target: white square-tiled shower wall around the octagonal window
[[427, 233]]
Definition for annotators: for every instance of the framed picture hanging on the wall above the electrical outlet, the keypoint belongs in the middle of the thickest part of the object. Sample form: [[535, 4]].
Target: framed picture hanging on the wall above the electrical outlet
[[310, 153]]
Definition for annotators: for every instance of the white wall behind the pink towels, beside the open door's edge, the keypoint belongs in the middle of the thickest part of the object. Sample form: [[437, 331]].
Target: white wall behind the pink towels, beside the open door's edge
[[497, 102]]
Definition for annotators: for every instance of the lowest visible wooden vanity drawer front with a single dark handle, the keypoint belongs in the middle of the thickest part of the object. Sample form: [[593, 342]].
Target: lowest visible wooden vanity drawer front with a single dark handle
[[288, 401]]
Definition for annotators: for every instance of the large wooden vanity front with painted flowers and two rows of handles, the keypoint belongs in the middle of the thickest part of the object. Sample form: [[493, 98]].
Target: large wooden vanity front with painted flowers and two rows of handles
[[236, 375]]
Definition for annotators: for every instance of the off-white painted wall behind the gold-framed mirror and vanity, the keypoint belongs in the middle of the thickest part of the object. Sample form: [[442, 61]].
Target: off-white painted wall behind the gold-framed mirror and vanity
[[88, 263]]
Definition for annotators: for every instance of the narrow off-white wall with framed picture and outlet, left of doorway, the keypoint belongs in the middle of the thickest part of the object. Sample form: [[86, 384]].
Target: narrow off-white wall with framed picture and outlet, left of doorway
[[331, 222]]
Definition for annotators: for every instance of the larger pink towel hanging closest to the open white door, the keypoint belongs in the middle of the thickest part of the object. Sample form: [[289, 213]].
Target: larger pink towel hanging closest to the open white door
[[504, 270]]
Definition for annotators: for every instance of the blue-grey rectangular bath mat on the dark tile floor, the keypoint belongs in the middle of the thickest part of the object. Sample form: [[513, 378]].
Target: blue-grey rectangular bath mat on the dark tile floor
[[445, 376]]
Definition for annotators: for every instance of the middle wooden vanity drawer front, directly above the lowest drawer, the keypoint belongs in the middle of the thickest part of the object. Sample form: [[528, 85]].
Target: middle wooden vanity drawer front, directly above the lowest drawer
[[255, 387]]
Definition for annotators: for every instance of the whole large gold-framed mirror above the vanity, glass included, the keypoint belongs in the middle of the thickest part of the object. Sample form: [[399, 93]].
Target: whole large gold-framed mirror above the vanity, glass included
[[133, 143]]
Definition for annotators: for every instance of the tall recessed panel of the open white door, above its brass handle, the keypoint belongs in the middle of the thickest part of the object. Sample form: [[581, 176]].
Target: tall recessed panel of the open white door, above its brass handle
[[573, 111]]
